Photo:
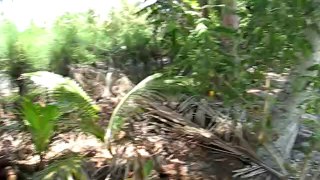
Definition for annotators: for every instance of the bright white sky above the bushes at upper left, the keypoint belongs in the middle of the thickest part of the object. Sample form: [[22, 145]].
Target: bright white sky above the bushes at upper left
[[43, 12]]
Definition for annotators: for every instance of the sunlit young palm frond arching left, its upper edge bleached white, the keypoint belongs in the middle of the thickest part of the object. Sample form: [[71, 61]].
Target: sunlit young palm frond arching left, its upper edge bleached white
[[70, 97]]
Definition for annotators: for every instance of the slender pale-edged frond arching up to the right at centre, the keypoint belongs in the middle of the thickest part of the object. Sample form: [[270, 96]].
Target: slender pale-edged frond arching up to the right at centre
[[118, 116]]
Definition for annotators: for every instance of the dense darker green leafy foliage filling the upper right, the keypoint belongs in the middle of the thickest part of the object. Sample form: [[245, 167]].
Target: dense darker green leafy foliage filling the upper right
[[262, 42]]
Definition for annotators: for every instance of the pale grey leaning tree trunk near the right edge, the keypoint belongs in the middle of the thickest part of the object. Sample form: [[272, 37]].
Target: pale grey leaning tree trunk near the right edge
[[286, 114]]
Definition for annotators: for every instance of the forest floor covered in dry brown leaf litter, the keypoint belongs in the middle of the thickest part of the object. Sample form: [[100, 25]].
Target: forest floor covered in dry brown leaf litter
[[182, 160]]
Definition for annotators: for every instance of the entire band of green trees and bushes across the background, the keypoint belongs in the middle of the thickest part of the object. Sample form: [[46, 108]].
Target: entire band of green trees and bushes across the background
[[204, 54]]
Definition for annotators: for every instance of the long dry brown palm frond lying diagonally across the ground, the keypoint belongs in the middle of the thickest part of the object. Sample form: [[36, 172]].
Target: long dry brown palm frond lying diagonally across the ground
[[203, 138]]
